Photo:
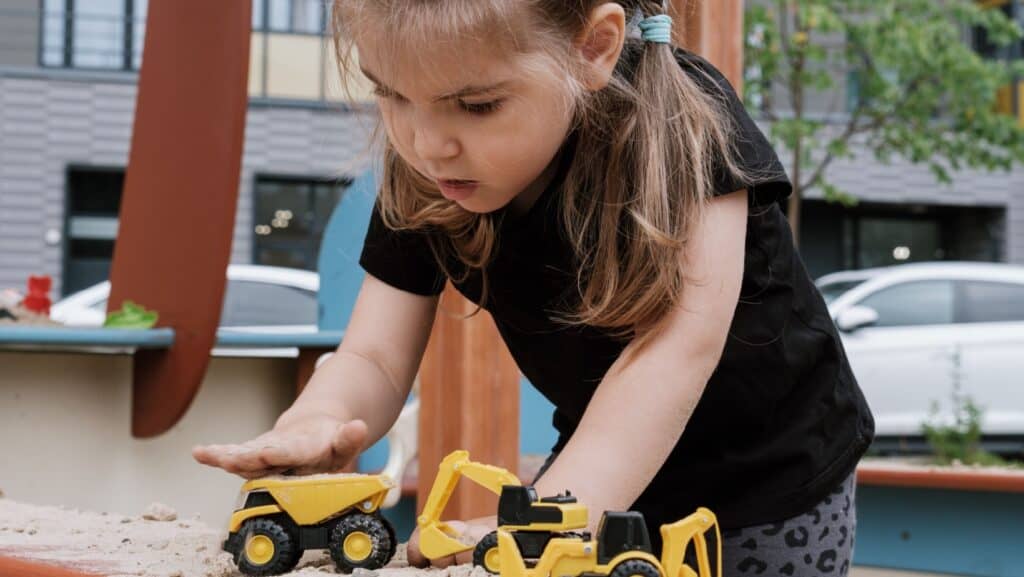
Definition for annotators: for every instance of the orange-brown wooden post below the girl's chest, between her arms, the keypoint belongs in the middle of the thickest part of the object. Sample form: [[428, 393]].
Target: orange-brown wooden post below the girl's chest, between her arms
[[470, 399]]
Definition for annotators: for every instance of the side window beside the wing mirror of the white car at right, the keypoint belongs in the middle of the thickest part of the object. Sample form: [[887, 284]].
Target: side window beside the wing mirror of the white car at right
[[919, 303]]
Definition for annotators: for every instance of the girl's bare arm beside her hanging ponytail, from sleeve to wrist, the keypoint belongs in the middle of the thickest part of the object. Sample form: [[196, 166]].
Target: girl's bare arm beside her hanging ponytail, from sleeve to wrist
[[642, 407]]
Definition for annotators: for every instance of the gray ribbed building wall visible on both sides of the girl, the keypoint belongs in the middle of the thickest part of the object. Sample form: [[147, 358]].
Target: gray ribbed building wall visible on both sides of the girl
[[51, 119]]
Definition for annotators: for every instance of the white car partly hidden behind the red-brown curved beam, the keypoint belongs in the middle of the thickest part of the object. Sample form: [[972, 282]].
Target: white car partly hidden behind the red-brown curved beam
[[259, 300]]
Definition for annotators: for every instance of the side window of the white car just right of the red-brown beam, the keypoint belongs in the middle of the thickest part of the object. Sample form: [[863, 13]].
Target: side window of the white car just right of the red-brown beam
[[250, 304]]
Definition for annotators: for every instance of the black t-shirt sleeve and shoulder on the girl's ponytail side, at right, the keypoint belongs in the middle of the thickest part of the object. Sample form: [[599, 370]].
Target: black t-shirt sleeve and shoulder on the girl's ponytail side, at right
[[766, 182]]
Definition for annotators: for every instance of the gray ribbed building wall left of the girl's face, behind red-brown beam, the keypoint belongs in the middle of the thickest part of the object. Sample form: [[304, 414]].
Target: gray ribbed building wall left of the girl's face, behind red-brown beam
[[49, 121]]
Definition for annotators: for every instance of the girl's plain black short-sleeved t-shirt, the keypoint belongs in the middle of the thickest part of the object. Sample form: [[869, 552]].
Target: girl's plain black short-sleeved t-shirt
[[782, 422]]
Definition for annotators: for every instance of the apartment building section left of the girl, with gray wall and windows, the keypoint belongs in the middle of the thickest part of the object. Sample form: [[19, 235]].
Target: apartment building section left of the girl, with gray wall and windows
[[69, 71]]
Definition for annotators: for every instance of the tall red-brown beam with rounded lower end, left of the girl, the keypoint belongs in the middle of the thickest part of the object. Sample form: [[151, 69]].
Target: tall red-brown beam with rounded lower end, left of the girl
[[182, 190]]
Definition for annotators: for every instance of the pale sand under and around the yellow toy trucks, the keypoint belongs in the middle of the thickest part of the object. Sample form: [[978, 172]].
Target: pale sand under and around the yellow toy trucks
[[118, 546]]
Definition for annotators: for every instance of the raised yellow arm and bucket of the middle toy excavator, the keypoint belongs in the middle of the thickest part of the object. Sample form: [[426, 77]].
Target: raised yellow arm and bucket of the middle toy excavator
[[439, 540]]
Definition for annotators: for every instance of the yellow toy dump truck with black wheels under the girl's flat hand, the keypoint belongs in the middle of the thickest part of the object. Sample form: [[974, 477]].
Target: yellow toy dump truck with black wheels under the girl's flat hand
[[277, 519]]
